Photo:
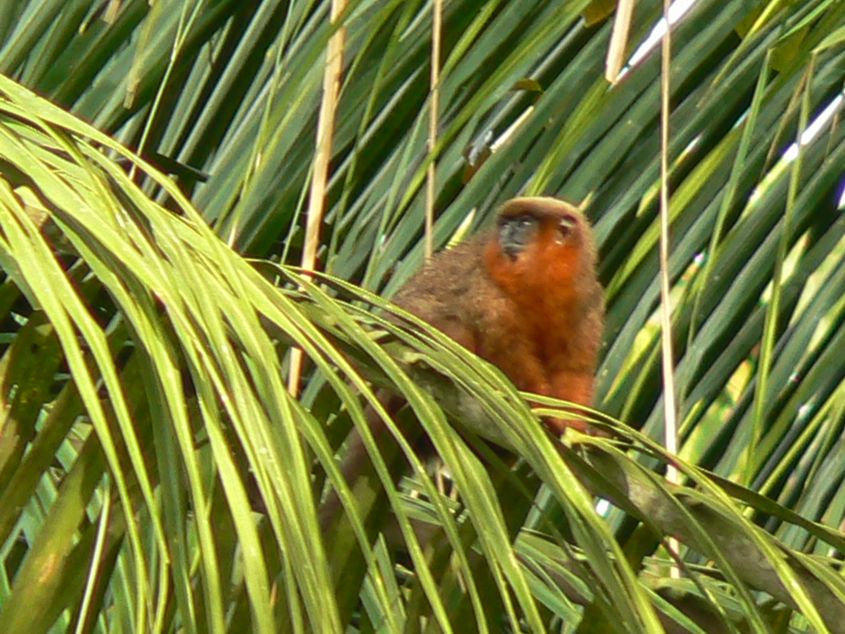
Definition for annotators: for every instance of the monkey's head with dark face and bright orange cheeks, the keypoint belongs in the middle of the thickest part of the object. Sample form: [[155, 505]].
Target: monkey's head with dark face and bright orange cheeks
[[541, 244]]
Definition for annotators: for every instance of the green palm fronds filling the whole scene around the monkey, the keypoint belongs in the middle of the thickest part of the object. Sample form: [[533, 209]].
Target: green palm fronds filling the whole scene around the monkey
[[155, 474]]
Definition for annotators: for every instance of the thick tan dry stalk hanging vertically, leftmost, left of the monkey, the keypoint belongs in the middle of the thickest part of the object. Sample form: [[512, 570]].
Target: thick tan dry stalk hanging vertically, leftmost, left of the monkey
[[320, 177]]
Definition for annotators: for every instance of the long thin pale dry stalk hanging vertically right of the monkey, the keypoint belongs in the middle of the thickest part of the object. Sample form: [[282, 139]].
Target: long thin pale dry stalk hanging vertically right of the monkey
[[670, 412]]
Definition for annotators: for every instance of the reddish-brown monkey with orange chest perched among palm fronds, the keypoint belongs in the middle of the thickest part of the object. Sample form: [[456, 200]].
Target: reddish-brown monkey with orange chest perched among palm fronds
[[524, 296]]
